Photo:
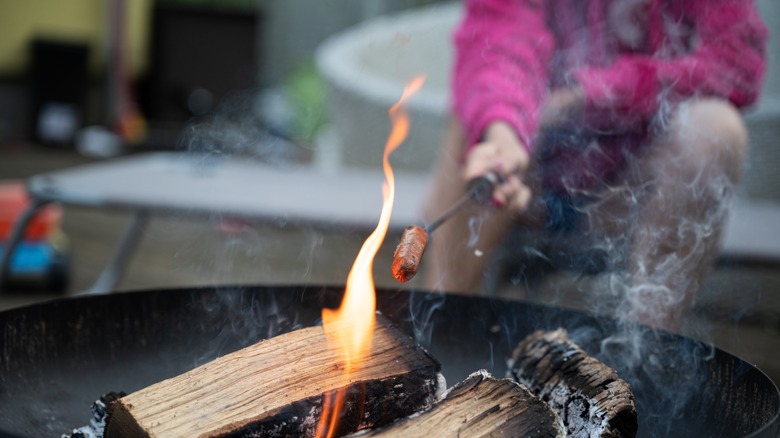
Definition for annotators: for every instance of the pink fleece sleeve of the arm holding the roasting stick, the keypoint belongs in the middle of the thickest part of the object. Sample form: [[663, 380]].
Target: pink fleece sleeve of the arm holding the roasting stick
[[503, 49]]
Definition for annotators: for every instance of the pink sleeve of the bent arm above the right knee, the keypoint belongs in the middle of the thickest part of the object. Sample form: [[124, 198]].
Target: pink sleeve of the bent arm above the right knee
[[728, 62]]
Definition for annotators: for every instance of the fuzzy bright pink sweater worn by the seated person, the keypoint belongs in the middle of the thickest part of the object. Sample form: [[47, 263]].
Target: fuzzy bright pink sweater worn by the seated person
[[627, 55]]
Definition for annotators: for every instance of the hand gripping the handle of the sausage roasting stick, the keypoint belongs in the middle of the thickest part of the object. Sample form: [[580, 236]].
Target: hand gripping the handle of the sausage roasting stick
[[502, 152]]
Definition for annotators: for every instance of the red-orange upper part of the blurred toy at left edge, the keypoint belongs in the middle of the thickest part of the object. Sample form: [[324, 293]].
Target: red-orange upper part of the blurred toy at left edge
[[14, 201]]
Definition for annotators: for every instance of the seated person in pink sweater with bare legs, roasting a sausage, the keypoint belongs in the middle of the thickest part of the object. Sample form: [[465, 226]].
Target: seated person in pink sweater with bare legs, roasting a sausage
[[617, 120]]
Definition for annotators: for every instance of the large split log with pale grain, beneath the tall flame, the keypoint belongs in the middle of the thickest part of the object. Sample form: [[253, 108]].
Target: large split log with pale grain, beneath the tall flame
[[277, 387]]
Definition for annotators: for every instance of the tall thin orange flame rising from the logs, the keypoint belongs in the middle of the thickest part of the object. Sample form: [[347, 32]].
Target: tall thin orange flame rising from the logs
[[349, 329]]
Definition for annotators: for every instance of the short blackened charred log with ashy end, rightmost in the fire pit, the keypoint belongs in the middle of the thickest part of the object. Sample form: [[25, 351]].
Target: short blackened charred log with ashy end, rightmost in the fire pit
[[588, 395]]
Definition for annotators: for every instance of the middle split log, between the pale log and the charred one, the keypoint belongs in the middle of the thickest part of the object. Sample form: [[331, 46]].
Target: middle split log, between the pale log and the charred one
[[480, 406]]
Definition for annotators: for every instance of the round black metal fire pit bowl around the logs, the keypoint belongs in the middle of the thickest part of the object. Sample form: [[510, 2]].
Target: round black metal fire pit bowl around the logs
[[57, 358]]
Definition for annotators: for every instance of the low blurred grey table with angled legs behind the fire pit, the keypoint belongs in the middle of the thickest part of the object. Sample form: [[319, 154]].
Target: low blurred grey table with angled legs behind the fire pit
[[168, 182]]
